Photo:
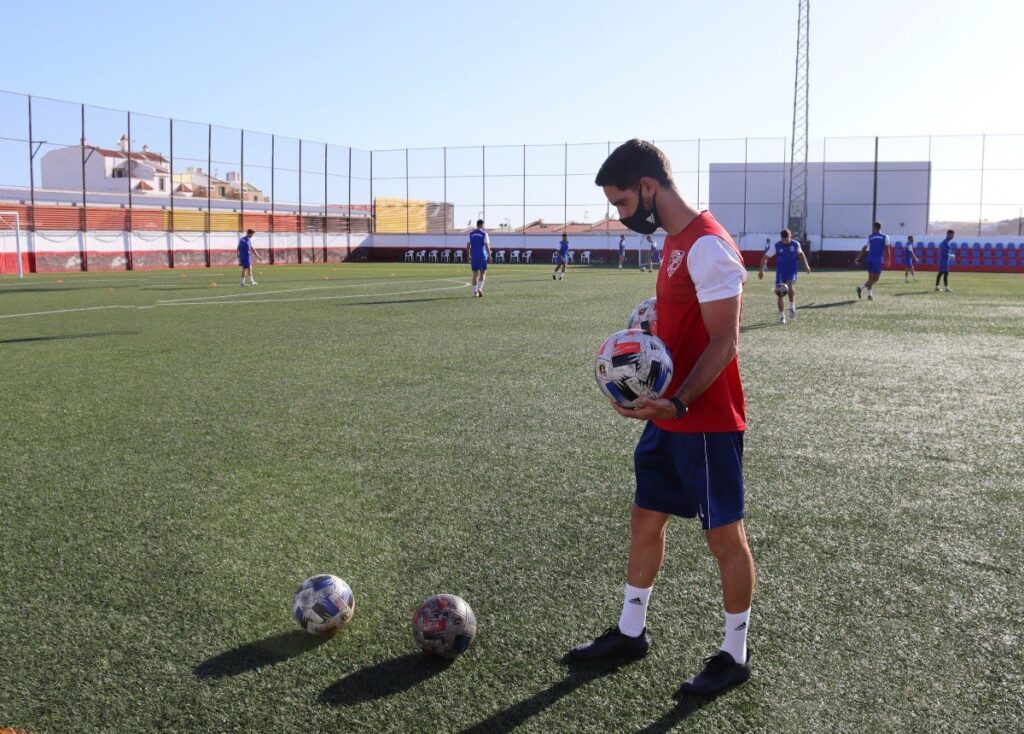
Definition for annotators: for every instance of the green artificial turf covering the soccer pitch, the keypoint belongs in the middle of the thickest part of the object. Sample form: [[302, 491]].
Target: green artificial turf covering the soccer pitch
[[179, 457]]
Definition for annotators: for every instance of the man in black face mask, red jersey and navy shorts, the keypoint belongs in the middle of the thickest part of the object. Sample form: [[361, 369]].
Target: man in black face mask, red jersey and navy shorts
[[690, 460]]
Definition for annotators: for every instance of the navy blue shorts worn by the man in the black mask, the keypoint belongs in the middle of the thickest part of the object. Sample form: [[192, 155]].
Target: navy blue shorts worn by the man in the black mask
[[692, 474]]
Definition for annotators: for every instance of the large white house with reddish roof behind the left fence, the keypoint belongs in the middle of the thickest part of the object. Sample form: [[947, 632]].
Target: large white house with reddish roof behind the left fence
[[110, 170]]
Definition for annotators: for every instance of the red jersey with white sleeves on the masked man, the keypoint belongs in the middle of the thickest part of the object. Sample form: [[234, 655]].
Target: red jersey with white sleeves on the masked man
[[700, 265]]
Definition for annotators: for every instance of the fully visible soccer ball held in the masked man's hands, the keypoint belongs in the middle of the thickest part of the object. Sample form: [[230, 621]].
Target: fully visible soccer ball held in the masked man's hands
[[631, 365]]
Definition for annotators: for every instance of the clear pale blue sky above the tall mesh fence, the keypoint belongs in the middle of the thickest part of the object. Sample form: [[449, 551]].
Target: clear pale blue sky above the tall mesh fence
[[392, 75]]
